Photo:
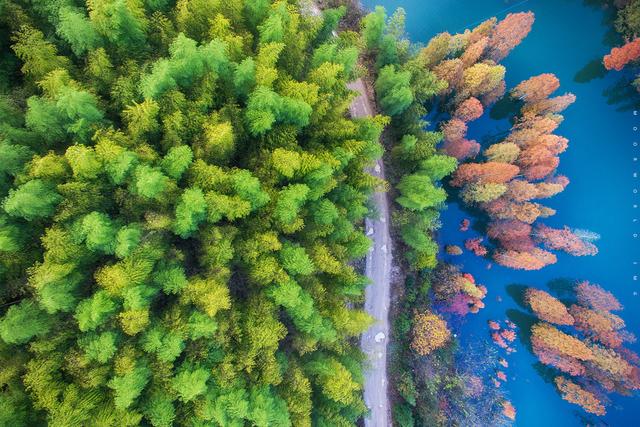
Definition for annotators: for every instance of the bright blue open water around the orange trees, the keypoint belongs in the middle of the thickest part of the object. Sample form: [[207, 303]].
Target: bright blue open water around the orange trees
[[567, 36]]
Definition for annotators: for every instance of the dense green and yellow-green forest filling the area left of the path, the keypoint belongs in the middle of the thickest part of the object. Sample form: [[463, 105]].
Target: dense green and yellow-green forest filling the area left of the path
[[180, 193]]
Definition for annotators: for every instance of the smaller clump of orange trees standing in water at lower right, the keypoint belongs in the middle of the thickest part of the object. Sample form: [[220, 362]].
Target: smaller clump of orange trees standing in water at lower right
[[586, 345]]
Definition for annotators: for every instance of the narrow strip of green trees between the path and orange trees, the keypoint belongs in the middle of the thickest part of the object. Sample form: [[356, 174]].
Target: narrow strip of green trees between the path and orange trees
[[404, 86]]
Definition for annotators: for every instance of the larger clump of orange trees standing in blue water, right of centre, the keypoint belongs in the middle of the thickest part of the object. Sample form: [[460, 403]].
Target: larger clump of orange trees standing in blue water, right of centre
[[516, 172]]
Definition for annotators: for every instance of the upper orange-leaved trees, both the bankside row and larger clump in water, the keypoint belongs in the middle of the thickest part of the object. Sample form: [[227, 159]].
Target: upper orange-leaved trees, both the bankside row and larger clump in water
[[529, 154]]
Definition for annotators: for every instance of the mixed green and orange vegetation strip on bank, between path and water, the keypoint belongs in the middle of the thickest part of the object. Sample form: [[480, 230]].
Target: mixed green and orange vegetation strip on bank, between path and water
[[457, 76]]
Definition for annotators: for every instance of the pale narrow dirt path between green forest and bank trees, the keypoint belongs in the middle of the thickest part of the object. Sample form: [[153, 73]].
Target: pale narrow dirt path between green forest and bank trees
[[377, 294]]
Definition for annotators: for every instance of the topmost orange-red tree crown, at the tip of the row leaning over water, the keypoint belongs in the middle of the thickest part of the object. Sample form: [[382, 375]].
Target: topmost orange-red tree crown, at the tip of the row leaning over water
[[509, 33]]
